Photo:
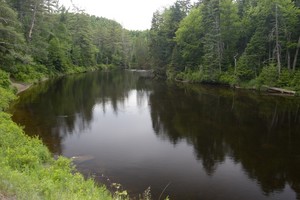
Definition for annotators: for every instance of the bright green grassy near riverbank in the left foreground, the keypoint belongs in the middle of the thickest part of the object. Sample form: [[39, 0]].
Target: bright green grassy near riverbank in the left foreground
[[28, 169]]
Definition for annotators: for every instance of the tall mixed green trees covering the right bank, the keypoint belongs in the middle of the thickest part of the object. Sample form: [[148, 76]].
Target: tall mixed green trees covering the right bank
[[228, 41]]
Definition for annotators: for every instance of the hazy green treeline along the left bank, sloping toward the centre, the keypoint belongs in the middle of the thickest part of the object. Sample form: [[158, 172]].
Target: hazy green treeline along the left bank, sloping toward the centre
[[40, 37]]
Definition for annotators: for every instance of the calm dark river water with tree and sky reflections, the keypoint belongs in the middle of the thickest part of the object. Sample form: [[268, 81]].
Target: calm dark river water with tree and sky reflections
[[185, 141]]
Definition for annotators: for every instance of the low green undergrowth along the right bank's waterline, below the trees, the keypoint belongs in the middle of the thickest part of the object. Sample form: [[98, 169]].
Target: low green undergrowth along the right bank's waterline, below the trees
[[269, 76]]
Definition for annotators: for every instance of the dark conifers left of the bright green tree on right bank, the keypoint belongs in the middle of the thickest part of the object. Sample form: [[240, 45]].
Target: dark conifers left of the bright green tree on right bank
[[162, 46]]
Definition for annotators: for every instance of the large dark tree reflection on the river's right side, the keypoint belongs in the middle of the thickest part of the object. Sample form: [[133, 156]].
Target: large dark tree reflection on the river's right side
[[260, 132]]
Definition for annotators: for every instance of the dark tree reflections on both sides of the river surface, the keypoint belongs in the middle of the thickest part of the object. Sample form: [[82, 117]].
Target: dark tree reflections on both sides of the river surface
[[260, 132]]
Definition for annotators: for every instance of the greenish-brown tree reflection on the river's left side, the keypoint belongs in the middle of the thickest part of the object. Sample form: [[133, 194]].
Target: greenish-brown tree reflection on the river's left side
[[65, 105]]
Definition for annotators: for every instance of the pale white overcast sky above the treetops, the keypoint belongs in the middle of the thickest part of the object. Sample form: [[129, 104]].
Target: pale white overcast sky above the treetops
[[132, 14]]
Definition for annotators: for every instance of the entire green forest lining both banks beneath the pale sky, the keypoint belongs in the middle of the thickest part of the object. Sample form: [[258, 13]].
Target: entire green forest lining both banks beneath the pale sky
[[246, 43]]
